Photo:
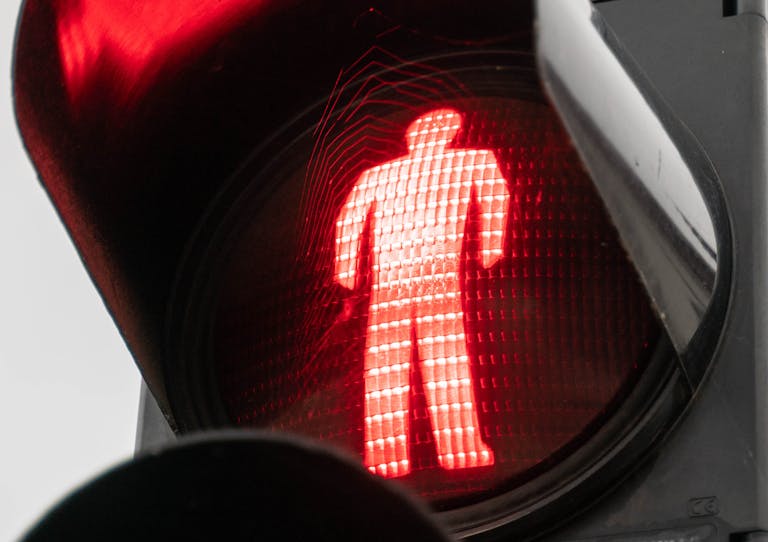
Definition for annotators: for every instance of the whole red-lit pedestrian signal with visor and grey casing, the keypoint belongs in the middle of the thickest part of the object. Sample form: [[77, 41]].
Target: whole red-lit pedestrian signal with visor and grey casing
[[506, 255]]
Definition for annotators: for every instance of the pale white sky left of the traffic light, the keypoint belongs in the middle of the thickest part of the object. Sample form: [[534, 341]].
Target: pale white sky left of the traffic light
[[69, 390]]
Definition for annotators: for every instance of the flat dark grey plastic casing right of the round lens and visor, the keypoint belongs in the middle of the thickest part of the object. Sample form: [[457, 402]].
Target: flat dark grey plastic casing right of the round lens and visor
[[709, 480]]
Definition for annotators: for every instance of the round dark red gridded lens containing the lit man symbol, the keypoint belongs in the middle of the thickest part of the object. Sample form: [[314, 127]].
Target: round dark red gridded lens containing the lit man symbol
[[449, 302]]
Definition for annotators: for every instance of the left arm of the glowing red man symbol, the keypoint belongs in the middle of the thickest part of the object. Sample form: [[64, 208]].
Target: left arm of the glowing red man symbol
[[349, 228]]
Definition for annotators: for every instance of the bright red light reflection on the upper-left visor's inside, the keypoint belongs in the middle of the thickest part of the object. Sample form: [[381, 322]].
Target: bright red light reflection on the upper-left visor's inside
[[136, 37]]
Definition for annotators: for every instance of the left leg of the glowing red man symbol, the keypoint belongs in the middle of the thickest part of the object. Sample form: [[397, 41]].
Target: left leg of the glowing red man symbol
[[387, 390]]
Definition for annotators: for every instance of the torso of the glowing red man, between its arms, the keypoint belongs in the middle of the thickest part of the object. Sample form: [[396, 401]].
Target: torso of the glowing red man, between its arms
[[419, 216]]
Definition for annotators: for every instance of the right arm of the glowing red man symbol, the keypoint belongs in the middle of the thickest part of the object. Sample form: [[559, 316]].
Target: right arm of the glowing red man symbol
[[493, 197]]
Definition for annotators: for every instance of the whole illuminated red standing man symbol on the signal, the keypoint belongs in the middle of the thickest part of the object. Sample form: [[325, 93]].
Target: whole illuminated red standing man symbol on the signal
[[417, 206]]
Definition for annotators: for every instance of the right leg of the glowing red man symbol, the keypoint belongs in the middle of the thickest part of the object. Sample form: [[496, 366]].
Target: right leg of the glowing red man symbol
[[445, 370]]
